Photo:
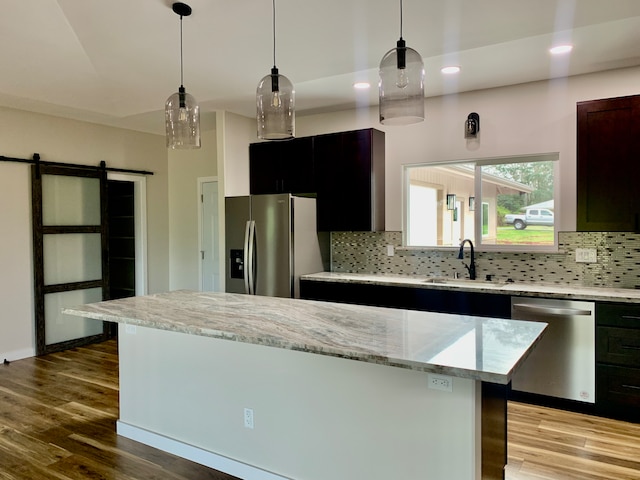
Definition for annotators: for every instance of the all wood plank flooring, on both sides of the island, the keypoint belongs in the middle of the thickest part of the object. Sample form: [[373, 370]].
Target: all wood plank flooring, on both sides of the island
[[58, 413]]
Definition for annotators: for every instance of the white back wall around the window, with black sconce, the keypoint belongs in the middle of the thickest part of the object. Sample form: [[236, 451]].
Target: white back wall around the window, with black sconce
[[523, 119]]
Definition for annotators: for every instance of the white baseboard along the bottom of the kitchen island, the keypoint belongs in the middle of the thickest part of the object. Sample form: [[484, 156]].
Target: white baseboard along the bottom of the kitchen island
[[195, 454]]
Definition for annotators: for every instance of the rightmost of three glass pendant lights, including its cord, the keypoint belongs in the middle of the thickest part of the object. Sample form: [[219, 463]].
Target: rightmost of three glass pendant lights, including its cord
[[401, 84]]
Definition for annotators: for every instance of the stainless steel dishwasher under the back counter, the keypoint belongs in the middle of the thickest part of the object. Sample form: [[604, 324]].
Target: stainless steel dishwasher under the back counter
[[563, 363]]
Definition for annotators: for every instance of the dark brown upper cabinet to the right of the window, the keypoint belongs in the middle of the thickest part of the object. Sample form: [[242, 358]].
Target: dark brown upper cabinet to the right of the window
[[608, 165]]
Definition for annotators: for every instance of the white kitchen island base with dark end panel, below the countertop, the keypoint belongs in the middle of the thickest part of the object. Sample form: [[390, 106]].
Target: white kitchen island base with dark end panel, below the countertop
[[315, 417]]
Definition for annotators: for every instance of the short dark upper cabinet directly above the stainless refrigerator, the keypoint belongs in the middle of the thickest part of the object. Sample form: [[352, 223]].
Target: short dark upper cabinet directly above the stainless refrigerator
[[285, 166]]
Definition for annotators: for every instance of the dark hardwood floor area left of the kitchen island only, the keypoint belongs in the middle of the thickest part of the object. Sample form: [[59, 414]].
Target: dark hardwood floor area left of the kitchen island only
[[57, 421]]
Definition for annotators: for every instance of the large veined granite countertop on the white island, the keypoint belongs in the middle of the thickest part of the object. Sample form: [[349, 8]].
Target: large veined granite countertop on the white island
[[484, 349]]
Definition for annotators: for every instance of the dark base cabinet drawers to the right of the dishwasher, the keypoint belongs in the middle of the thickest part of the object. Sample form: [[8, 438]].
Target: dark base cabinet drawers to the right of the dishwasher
[[618, 361]]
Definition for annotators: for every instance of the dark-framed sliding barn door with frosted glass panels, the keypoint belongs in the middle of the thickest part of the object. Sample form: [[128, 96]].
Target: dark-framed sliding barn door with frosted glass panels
[[70, 245]]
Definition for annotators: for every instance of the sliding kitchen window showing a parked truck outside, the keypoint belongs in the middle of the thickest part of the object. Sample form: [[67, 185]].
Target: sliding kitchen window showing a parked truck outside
[[511, 199]]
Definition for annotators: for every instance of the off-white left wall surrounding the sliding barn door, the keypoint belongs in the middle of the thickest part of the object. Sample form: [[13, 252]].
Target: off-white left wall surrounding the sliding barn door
[[21, 135]]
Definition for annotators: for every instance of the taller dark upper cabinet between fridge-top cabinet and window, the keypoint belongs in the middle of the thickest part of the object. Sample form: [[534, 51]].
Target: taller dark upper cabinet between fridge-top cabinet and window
[[350, 180]]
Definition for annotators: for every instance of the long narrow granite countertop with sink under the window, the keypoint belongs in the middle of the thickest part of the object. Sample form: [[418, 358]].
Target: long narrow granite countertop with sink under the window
[[527, 289]]
